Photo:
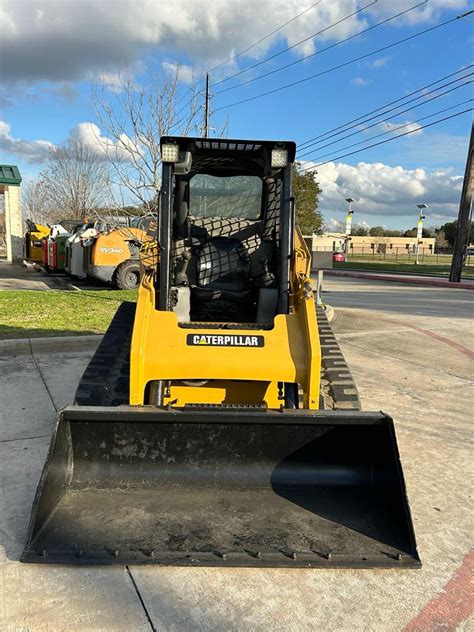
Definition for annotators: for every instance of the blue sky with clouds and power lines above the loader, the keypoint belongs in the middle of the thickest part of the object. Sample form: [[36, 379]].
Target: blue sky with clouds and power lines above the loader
[[53, 53]]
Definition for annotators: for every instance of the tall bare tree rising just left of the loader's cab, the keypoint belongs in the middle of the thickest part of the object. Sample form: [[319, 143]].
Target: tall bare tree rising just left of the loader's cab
[[133, 123]]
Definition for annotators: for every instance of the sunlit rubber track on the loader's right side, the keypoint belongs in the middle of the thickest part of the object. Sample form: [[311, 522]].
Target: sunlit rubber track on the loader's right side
[[342, 388]]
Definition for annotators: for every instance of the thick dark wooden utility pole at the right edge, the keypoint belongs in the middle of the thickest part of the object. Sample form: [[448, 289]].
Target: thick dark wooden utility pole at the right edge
[[464, 225]]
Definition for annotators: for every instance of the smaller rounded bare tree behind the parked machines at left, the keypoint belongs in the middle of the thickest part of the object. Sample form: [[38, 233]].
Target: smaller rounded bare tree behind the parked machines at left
[[76, 180]]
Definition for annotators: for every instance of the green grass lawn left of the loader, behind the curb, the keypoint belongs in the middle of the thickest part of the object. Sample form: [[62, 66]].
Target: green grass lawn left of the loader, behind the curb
[[31, 313]]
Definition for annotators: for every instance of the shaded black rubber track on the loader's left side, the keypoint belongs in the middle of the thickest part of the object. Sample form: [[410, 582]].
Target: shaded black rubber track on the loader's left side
[[106, 380]]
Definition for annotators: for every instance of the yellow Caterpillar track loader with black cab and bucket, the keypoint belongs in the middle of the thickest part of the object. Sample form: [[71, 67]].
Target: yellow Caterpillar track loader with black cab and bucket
[[200, 434]]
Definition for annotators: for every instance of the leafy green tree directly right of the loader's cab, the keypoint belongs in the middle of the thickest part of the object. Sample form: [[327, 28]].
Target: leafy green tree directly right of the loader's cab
[[306, 191]]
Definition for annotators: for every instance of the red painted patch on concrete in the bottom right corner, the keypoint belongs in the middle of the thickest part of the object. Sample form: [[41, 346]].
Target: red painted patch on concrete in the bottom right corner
[[452, 606]]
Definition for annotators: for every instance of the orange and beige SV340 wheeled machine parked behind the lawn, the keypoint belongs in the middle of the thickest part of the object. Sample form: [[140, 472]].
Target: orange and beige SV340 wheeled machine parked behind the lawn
[[112, 256]]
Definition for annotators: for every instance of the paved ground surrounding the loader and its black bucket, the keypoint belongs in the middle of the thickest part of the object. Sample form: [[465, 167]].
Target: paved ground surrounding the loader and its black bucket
[[410, 352]]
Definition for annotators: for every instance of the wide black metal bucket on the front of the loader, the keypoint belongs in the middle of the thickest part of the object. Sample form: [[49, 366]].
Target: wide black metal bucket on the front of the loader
[[136, 485]]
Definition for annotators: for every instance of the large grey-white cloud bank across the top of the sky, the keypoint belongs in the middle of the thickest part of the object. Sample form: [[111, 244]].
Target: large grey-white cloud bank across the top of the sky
[[69, 41]]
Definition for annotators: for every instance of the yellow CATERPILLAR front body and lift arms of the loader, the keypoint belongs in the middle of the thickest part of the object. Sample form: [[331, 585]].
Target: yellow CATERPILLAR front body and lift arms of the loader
[[204, 373]]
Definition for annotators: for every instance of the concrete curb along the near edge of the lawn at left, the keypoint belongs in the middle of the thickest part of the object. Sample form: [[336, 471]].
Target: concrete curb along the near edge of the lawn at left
[[53, 344]]
